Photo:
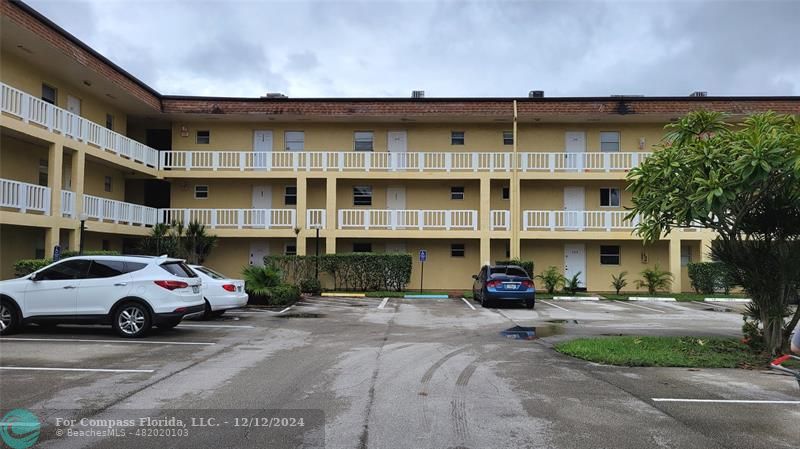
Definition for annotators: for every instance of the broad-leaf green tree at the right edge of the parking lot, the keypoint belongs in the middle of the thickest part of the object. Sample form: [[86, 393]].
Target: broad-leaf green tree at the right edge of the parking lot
[[743, 181]]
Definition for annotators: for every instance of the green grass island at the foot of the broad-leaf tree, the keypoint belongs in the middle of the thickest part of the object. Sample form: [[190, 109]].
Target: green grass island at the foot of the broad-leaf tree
[[663, 351]]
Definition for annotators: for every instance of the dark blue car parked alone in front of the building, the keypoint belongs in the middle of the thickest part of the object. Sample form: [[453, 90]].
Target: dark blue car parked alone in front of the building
[[503, 283]]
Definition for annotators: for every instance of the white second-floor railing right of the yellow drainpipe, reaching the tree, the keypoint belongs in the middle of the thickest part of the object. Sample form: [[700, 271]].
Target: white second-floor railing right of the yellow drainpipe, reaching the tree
[[576, 220]]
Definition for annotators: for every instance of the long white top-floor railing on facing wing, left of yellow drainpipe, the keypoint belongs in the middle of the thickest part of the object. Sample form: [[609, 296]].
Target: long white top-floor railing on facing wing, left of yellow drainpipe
[[335, 161]]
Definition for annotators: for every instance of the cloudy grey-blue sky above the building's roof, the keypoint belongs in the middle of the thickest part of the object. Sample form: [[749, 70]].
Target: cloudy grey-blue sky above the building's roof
[[447, 48]]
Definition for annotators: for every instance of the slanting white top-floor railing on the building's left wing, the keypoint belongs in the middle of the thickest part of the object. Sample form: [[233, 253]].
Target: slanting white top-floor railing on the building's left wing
[[31, 109]]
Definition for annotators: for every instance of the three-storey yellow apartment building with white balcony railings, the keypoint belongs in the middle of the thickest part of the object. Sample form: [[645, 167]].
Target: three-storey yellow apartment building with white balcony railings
[[470, 180]]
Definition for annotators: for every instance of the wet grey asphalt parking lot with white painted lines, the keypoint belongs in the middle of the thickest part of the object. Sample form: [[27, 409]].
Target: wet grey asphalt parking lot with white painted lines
[[411, 374]]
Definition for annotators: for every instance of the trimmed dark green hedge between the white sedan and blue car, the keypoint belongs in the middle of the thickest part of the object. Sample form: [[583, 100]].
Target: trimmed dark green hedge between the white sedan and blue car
[[352, 271]]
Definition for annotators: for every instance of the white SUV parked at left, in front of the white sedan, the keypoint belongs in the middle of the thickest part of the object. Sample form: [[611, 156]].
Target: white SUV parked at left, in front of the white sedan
[[132, 293]]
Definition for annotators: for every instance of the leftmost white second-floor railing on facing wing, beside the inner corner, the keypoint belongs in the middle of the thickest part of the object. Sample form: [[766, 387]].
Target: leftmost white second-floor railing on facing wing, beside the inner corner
[[232, 218]]
